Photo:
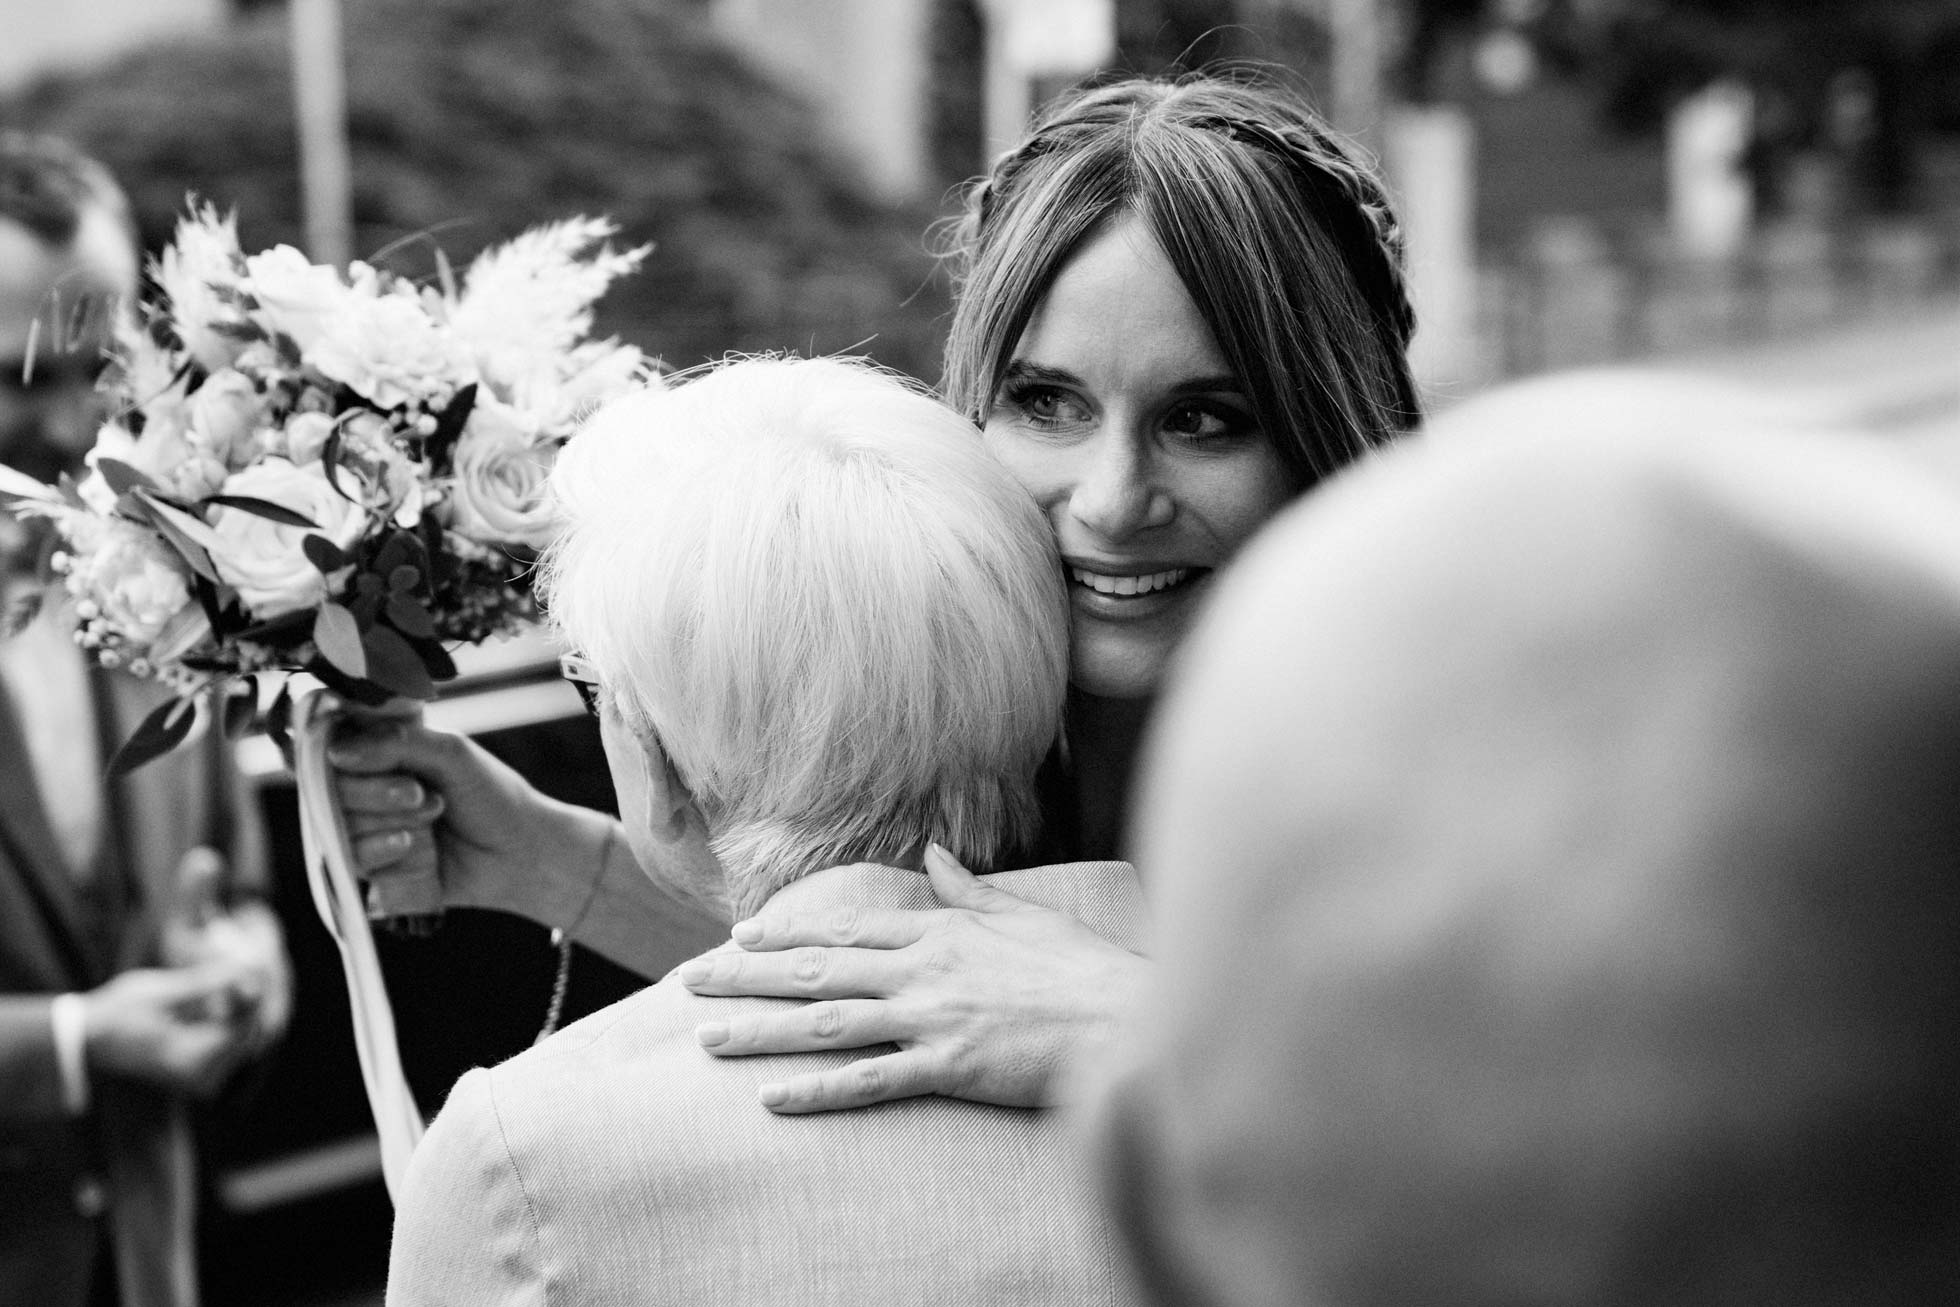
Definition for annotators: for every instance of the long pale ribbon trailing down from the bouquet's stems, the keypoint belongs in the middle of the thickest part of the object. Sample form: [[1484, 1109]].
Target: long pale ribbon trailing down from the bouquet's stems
[[330, 873]]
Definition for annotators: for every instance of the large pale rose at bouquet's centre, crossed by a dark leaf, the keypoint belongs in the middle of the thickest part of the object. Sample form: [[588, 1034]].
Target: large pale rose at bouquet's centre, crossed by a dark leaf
[[264, 559]]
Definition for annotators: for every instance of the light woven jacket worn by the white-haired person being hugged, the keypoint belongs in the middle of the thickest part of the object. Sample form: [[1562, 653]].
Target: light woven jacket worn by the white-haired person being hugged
[[618, 1163]]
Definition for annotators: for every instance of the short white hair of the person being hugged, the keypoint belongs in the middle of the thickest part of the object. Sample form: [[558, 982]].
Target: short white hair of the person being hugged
[[838, 612]]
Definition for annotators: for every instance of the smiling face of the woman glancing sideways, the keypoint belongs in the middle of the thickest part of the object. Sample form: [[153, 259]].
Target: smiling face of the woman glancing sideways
[[1120, 414]]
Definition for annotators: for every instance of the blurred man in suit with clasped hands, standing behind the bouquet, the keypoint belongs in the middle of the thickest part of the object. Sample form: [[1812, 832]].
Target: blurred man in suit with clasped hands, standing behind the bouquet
[[136, 967]]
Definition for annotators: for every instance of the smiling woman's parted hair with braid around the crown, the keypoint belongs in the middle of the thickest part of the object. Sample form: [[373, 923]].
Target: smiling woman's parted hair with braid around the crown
[[1283, 238]]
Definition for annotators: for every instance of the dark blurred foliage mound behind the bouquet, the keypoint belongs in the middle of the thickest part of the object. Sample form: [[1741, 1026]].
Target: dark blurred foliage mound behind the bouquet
[[475, 119]]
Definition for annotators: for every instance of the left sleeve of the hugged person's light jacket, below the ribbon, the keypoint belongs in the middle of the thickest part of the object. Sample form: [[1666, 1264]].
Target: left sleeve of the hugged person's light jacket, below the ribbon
[[464, 1230]]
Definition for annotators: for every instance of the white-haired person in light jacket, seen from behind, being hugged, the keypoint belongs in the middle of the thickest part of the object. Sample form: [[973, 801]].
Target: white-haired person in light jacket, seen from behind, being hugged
[[826, 638]]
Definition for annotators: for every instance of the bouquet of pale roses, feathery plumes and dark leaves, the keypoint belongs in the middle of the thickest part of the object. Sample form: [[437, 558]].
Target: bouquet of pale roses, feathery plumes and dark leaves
[[326, 473]]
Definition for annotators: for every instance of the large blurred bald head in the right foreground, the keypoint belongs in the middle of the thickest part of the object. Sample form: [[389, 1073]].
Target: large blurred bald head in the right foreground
[[1557, 840]]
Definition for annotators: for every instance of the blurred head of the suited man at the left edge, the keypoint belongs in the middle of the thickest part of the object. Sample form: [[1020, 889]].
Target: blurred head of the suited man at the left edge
[[68, 266]]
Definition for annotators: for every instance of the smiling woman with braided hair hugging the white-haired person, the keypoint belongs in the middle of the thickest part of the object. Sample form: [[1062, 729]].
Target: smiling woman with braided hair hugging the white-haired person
[[1181, 307]]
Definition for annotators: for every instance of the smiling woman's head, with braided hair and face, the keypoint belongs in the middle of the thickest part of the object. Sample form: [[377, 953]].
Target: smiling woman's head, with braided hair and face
[[1181, 303]]
